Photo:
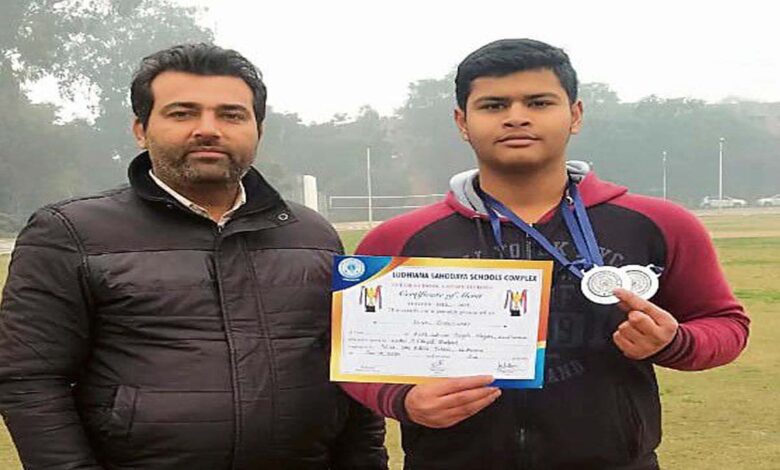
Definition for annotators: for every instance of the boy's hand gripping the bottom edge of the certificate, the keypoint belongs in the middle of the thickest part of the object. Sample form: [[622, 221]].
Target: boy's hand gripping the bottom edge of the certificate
[[445, 403]]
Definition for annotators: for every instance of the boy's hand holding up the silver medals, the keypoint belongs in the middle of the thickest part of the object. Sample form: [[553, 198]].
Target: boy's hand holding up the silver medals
[[647, 329]]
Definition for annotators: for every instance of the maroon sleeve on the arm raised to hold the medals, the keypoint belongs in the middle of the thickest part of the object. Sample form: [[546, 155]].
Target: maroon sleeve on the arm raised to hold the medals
[[713, 325]]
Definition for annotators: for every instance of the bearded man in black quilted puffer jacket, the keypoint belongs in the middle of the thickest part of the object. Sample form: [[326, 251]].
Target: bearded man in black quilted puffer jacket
[[180, 322]]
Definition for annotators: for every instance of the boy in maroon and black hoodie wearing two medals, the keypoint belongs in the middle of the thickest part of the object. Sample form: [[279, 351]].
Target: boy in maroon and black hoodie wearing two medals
[[599, 407]]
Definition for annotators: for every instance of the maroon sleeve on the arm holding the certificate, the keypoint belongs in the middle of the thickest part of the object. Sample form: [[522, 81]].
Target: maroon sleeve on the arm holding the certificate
[[388, 240]]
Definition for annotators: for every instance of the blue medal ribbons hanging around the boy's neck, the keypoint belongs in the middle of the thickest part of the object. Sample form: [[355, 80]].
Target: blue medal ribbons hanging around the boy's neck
[[578, 224]]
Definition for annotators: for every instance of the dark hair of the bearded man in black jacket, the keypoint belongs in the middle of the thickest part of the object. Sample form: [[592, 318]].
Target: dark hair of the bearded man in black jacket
[[198, 59]]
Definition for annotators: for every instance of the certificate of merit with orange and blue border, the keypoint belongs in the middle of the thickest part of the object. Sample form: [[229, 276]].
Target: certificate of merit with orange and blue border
[[413, 320]]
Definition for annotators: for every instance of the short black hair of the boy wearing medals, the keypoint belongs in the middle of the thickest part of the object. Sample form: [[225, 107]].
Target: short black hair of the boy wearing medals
[[507, 56]]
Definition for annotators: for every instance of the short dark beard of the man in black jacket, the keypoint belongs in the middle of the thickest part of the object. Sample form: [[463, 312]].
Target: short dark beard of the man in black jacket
[[173, 166]]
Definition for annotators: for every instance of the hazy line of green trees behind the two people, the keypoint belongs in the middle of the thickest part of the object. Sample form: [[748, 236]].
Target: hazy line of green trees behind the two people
[[92, 47]]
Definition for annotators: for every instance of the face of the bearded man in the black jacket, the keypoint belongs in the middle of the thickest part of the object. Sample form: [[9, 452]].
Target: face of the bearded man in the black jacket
[[201, 130]]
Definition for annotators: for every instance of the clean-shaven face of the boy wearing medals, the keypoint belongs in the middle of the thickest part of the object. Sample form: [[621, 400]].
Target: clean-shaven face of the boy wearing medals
[[519, 121]]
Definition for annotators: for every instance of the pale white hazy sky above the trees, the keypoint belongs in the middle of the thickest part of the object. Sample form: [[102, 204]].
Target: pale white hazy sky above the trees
[[324, 57]]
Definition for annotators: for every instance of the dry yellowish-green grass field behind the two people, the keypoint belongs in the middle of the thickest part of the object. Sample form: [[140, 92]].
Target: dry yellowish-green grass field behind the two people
[[727, 418]]
